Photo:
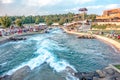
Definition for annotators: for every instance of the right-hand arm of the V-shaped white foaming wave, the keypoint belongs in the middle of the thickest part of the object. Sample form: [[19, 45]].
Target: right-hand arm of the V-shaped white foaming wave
[[49, 58]]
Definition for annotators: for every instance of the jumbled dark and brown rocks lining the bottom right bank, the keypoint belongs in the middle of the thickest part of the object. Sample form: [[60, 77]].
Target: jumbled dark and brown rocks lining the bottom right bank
[[105, 74]]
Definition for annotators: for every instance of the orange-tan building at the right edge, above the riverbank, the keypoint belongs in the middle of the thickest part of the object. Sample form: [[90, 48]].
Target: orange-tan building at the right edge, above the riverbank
[[109, 17]]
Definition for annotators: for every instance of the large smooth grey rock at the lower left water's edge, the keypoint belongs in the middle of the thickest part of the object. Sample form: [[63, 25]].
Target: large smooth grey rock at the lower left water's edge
[[21, 73]]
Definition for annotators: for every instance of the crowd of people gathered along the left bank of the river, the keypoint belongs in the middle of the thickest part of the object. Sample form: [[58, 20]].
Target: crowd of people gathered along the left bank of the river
[[17, 30]]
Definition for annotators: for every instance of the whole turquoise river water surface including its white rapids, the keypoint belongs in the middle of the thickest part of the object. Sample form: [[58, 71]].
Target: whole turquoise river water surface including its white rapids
[[50, 53]]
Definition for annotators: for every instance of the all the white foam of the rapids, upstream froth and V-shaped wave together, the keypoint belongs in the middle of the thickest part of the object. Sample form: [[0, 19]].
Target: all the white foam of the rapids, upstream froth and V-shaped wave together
[[44, 47]]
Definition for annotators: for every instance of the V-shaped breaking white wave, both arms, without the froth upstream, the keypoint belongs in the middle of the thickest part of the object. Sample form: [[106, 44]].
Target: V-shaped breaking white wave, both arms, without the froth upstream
[[45, 56]]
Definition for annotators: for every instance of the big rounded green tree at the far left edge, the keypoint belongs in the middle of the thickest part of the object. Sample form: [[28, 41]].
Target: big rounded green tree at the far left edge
[[5, 21]]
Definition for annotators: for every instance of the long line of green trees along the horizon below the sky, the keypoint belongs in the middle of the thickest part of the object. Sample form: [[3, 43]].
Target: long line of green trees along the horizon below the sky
[[48, 19]]
